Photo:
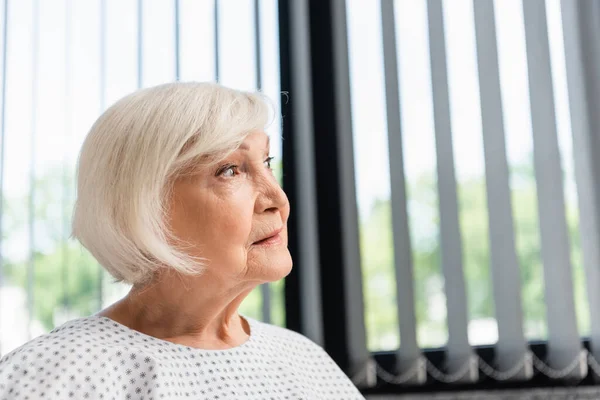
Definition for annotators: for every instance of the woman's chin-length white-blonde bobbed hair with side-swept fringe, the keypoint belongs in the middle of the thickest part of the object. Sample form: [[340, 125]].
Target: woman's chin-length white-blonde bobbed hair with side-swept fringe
[[132, 155]]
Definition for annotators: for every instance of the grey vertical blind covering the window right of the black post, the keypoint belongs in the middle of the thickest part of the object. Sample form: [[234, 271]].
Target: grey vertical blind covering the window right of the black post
[[474, 131]]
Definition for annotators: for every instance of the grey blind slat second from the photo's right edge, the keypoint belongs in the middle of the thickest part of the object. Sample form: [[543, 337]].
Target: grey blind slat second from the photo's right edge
[[563, 339]]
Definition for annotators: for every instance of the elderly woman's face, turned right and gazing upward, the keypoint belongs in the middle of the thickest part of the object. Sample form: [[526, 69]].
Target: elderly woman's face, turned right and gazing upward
[[234, 215]]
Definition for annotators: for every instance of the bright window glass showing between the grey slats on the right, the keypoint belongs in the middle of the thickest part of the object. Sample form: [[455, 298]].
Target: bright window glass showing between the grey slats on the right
[[418, 136]]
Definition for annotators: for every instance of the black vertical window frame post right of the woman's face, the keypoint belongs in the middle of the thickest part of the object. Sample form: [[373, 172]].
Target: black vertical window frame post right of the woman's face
[[333, 290]]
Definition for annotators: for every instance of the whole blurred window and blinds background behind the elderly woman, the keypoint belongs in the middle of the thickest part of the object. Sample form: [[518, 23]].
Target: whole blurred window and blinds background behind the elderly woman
[[430, 87]]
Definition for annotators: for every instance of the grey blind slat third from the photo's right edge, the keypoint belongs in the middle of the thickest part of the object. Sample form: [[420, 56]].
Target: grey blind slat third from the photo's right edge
[[511, 347]]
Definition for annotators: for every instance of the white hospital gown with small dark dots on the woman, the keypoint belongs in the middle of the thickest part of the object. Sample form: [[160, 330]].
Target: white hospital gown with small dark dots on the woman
[[97, 358]]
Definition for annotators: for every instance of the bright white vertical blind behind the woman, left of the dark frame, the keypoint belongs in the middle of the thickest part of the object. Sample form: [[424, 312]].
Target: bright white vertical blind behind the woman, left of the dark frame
[[63, 63]]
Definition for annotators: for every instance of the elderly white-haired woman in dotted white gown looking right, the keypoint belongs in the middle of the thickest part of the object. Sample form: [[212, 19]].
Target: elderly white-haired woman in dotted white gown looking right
[[176, 196]]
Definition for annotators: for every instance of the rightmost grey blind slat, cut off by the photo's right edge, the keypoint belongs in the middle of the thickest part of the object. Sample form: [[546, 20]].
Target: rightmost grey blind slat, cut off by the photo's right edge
[[582, 55]]
